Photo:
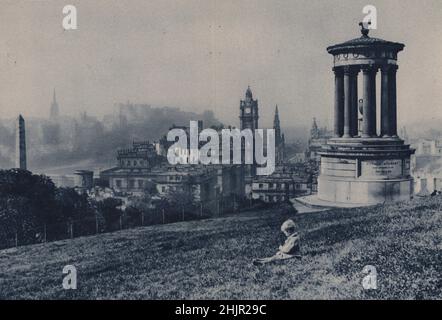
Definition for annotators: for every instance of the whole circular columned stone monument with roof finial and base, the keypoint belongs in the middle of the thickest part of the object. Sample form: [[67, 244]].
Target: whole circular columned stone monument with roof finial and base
[[361, 164]]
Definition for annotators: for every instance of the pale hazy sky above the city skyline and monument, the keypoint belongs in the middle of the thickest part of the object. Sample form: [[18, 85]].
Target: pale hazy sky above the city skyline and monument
[[202, 54]]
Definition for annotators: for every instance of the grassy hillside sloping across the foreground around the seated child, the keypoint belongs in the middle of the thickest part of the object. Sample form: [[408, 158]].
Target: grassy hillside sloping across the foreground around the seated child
[[212, 259]]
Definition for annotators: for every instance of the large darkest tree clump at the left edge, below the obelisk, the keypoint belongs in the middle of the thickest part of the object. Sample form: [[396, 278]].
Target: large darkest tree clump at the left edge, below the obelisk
[[32, 209]]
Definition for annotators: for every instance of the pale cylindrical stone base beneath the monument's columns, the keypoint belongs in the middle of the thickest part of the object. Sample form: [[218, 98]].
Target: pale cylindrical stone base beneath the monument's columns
[[365, 171]]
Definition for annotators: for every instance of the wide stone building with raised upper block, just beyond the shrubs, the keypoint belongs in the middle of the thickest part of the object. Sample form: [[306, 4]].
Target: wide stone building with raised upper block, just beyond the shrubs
[[141, 166]]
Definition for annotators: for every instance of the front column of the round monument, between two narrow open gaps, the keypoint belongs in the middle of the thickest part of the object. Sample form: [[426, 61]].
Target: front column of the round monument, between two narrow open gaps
[[367, 107]]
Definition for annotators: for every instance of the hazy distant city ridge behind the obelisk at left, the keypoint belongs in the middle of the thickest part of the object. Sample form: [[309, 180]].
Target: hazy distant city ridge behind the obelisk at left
[[68, 141]]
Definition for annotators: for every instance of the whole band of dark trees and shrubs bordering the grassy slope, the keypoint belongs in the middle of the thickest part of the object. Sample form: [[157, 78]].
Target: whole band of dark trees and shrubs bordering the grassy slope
[[33, 209]]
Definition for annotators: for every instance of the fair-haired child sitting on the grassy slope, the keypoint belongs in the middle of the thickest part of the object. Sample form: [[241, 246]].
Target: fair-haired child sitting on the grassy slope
[[290, 248]]
